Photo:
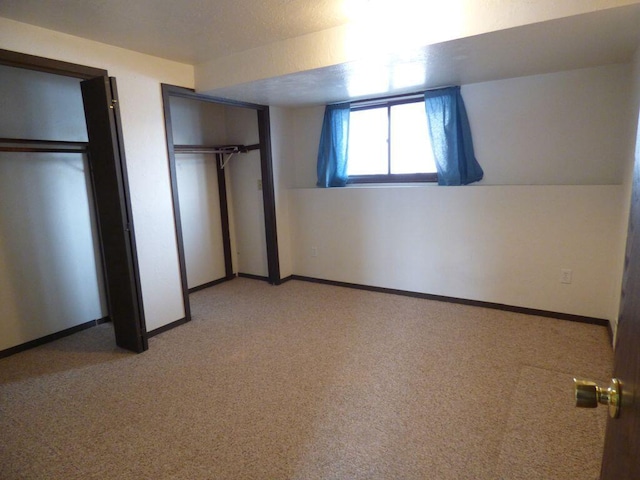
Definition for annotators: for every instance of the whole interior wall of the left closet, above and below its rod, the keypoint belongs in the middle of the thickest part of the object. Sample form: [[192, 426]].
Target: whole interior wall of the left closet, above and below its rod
[[51, 275]]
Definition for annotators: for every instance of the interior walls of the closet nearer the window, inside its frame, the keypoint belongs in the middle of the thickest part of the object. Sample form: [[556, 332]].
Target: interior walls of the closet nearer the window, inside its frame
[[199, 123]]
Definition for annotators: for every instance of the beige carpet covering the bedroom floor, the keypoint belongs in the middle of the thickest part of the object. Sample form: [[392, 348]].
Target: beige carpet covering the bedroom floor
[[307, 381]]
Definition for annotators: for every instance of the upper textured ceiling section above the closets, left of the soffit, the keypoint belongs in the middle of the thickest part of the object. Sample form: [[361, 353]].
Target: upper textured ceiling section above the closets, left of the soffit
[[188, 31]]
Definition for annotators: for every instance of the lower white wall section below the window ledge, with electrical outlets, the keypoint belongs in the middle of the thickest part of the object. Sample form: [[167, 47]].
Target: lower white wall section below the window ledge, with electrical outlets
[[502, 244]]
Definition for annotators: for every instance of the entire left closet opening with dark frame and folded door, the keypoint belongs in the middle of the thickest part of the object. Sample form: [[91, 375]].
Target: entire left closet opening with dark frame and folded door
[[67, 248]]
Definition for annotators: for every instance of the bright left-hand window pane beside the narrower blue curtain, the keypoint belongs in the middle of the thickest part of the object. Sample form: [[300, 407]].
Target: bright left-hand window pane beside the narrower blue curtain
[[368, 150]]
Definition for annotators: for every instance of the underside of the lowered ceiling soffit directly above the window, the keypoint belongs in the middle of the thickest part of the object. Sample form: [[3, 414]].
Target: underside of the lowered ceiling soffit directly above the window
[[599, 38]]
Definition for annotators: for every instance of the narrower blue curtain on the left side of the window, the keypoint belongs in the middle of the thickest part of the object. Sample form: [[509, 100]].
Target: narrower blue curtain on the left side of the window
[[332, 152]]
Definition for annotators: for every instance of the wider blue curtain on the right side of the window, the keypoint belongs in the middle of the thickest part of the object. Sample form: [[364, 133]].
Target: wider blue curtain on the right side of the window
[[451, 137]]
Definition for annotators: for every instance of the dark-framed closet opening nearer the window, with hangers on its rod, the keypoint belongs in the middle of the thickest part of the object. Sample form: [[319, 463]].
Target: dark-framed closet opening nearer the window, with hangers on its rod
[[222, 185]]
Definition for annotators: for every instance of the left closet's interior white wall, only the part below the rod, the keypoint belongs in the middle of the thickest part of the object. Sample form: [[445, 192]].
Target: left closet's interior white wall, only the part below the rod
[[50, 270]]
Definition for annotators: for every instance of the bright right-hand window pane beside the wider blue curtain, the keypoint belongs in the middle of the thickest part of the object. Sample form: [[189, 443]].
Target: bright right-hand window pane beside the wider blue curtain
[[410, 146]]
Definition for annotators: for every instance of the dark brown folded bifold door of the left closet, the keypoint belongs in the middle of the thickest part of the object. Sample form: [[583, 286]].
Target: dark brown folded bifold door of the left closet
[[114, 215]]
